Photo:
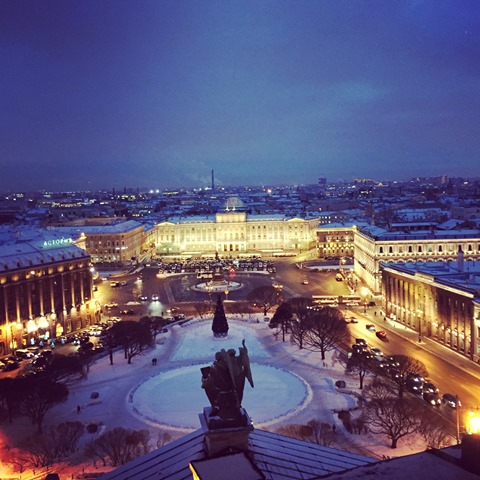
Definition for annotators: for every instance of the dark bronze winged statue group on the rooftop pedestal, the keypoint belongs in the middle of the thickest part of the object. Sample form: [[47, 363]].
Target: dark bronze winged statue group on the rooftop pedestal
[[224, 382]]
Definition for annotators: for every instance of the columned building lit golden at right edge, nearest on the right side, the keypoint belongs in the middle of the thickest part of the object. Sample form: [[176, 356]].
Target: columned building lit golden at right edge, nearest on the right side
[[439, 300]]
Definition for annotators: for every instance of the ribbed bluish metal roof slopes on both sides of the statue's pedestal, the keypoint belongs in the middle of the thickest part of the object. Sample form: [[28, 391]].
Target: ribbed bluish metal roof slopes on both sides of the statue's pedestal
[[277, 457]]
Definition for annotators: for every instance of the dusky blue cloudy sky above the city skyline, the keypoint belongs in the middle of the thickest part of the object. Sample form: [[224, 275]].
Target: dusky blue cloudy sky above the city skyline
[[157, 93]]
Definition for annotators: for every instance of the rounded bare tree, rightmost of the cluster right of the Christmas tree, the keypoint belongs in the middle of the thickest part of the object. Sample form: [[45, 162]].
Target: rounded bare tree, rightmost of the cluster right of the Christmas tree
[[327, 329]]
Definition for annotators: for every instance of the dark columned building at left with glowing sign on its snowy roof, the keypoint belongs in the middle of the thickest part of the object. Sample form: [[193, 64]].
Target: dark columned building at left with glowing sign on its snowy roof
[[45, 291]]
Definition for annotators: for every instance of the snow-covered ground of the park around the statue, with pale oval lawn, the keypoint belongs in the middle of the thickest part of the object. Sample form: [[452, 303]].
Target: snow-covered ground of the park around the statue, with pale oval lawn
[[291, 386]]
